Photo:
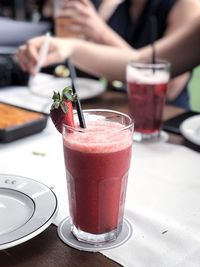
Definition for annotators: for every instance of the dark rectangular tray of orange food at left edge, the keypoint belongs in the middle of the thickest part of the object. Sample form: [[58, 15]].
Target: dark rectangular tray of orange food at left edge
[[23, 122]]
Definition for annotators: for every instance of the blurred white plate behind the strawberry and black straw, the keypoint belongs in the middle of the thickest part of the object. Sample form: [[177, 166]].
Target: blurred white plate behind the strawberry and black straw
[[44, 85]]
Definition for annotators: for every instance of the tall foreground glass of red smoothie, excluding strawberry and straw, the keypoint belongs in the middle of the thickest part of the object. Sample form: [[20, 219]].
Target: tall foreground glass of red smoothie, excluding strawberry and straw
[[97, 161]]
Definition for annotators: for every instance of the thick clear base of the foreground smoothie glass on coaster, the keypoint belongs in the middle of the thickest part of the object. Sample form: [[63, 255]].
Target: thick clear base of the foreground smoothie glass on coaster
[[95, 238]]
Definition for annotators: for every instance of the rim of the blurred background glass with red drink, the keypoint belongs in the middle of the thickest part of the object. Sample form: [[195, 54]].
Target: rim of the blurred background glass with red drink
[[146, 63]]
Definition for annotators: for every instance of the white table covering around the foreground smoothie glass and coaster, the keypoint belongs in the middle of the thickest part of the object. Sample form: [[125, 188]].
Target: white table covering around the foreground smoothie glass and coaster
[[163, 198]]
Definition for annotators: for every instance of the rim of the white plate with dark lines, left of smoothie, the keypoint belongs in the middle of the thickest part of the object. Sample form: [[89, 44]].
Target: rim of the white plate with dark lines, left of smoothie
[[21, 238]]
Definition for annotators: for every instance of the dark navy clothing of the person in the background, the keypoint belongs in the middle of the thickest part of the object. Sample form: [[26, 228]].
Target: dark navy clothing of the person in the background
[[139, 33]]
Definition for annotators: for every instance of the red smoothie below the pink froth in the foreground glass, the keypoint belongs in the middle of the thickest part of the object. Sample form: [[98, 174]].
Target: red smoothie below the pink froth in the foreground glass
[[98, 190]]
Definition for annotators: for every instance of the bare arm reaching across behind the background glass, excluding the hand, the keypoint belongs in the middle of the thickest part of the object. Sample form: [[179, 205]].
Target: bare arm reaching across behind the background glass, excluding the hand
[[181, 48]]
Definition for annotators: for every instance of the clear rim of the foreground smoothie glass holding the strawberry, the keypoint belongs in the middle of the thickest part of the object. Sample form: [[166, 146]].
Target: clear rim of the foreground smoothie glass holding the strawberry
[[123, 128]]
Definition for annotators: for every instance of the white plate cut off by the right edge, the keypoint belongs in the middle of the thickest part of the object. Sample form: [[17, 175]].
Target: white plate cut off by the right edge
[[190, 129]]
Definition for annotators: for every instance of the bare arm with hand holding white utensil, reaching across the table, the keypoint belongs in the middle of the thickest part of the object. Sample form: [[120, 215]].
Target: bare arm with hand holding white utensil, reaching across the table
[[181, 48]]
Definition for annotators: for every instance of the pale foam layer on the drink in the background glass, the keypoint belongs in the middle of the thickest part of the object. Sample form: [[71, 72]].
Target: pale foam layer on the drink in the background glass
[[147, 76]]
